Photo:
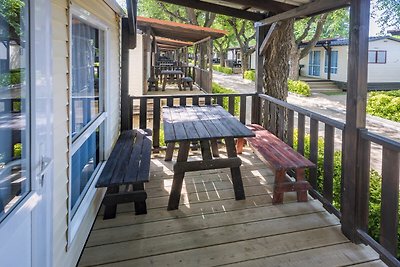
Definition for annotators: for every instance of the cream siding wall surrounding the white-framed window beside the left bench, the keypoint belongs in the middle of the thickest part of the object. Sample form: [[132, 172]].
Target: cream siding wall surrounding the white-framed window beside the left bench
[[64, 255]]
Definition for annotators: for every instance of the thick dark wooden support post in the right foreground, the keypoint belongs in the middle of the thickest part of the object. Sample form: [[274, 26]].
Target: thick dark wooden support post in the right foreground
[[355, 115]]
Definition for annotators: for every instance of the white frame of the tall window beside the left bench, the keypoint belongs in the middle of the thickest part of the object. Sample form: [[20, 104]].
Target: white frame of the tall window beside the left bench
[[75, 221]]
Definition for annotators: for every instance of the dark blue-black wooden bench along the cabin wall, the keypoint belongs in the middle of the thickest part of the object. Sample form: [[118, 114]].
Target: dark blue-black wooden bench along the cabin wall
[[126, 171]]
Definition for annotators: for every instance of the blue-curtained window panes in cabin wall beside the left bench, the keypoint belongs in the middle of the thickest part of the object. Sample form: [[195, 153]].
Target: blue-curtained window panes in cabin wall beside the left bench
[[87, 107]]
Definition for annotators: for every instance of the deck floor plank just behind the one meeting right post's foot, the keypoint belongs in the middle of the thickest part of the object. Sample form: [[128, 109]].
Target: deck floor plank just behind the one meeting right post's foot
[[206, 237]]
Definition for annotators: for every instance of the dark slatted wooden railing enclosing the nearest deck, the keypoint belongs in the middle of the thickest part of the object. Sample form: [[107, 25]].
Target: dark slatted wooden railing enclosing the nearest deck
[[283, 119]]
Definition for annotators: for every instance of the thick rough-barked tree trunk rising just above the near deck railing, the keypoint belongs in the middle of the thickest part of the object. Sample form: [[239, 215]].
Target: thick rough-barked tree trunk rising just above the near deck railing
[[276, 63]]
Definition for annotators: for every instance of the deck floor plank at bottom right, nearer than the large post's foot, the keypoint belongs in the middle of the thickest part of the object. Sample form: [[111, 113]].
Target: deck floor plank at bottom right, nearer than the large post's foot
[[336, 255]]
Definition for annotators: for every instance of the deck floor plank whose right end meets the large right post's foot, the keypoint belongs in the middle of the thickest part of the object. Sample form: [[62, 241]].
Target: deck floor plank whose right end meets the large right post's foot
[[223, 253]]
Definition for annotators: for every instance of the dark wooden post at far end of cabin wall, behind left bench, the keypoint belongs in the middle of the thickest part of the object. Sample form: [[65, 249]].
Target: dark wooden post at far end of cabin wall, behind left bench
[[128, 42]]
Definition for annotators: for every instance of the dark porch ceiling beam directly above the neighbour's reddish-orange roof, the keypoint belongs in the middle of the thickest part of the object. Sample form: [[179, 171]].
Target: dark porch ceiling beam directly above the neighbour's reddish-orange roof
[[224, 10]]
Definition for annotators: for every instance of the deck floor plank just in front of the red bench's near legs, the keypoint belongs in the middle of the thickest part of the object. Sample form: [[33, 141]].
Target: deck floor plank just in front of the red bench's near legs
[[192, 223]]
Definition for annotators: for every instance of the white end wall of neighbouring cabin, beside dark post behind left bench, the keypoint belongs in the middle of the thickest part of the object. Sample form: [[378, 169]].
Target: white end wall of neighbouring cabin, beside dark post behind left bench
[[136, 65]]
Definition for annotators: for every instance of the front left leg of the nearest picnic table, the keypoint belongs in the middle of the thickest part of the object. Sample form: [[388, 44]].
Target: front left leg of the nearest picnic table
[[175, 195]]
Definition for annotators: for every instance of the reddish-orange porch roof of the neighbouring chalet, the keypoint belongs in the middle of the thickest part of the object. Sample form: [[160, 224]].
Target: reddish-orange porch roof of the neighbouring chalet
[[178, 31]]
